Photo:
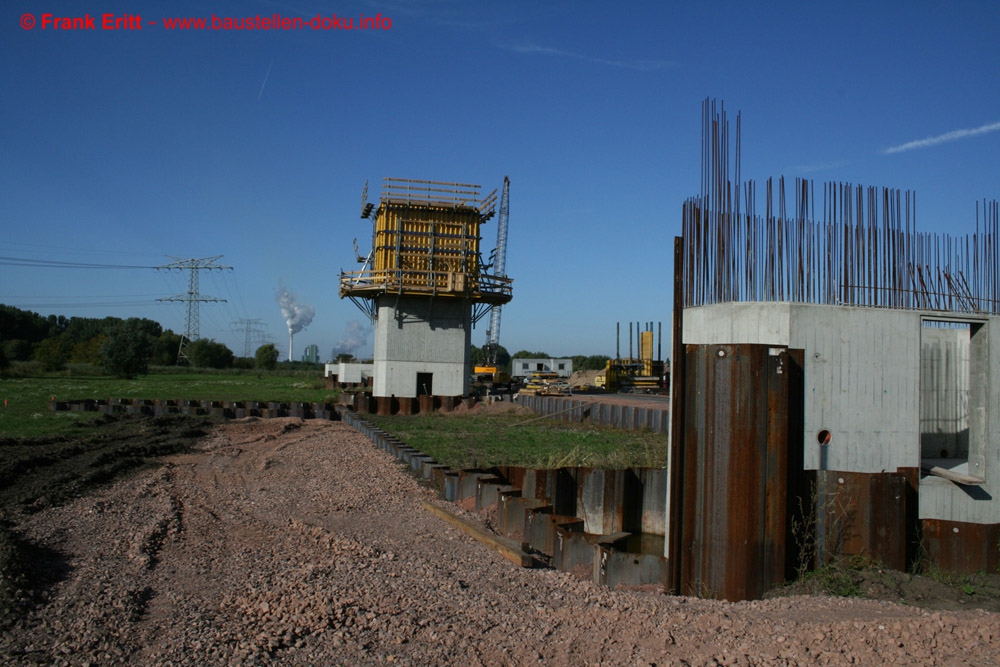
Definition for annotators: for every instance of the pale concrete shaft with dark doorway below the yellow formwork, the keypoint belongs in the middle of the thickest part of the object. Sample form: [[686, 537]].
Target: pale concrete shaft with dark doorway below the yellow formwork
[[422, 335]]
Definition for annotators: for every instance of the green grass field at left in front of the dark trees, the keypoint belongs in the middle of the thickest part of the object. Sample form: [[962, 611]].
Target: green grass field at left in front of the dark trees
[[26, 397]]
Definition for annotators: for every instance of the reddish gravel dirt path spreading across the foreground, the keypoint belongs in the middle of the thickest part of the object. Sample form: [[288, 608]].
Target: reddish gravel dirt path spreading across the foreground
[[289, 542]]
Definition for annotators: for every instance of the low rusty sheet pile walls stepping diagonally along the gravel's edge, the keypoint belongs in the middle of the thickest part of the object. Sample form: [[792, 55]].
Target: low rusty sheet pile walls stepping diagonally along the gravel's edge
[[609, 521]]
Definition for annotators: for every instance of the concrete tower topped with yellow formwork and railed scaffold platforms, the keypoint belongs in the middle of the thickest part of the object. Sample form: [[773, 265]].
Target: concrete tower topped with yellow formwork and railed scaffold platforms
[[424, 286]]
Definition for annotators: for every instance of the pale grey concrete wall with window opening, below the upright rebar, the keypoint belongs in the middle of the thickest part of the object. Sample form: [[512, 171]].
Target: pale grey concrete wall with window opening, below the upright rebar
[[862, 388]]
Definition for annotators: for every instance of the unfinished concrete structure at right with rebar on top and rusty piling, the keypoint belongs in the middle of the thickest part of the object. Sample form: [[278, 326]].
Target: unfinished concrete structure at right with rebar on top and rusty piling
[[836, 384]]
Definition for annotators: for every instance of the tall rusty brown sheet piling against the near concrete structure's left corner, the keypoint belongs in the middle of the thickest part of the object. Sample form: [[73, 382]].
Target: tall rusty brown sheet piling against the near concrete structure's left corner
[[737, 474]]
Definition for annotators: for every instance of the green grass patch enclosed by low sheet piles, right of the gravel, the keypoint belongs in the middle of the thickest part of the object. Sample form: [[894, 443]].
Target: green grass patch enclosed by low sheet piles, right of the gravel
[[477, 440]]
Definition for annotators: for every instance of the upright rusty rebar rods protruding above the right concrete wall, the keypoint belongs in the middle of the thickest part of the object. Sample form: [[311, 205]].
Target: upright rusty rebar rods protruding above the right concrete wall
[[862, 249]]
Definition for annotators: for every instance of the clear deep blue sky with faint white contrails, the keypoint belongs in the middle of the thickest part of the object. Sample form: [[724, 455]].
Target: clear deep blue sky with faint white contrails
[[133, 147]]
